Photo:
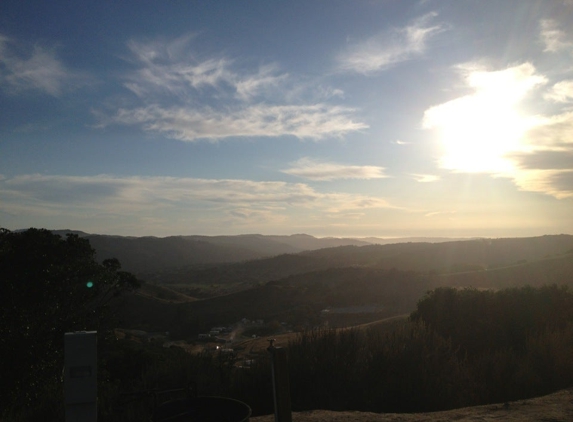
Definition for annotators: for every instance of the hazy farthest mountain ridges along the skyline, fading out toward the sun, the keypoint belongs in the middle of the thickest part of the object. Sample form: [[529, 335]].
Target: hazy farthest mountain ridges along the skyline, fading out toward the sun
[[153, 254]]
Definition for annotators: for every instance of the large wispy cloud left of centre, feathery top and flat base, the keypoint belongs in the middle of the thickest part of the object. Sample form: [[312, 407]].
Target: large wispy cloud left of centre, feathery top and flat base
[[189, 99]]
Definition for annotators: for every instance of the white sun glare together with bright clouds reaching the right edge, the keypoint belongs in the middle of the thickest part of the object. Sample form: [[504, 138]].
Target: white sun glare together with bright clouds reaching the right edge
[[486, 132]]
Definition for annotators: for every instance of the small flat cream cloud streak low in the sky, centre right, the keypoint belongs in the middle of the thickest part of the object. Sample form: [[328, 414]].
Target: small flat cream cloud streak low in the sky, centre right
[[323, 171]]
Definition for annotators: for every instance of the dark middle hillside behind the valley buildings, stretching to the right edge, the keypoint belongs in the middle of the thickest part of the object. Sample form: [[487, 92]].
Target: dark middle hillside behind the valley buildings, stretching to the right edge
[[353, 295]]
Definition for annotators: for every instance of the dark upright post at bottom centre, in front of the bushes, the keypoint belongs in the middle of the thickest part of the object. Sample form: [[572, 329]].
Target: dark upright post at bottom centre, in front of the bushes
[[281, 388]]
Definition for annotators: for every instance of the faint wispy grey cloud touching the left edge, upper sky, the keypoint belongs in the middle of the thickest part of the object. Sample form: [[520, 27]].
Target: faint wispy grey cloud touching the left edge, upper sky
[[34, 68]]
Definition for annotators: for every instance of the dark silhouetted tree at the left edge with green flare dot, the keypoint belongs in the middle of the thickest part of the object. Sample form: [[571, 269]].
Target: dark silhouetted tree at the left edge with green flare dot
[[48, 286]]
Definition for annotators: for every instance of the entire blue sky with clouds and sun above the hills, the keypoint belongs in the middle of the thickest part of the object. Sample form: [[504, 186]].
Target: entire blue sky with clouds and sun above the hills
[[386, 118]]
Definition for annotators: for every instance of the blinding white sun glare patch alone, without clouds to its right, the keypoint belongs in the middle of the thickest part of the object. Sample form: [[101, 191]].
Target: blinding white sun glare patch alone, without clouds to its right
[[478, 131]]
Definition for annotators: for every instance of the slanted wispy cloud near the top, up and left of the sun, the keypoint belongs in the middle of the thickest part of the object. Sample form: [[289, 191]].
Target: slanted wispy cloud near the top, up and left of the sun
[[390, 48]]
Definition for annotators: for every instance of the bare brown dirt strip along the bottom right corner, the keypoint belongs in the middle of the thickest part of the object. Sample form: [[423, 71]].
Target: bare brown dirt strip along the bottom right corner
[[556, 407]]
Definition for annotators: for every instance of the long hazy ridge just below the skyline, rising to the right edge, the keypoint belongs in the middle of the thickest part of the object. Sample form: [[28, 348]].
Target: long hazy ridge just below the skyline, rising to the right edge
[[445, 257]]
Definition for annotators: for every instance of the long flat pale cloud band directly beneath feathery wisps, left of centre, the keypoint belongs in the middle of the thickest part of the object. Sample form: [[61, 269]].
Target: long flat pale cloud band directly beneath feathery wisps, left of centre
[[189, 124]]
